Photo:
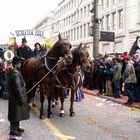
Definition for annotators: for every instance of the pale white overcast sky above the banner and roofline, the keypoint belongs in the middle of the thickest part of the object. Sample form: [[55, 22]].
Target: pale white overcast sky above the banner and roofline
[[22, 14]]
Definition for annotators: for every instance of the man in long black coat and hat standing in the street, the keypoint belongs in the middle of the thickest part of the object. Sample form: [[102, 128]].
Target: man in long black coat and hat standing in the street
[[18, 104]]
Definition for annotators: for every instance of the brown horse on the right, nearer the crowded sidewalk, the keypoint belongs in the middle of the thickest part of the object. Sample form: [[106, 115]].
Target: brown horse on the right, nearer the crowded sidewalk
[[68, 77]]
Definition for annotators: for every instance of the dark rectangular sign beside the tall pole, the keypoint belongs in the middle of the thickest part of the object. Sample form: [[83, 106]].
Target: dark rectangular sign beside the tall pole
[[107, 36]]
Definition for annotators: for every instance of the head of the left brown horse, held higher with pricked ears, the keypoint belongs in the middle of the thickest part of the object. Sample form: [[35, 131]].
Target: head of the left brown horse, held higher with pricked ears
[[65, 49]]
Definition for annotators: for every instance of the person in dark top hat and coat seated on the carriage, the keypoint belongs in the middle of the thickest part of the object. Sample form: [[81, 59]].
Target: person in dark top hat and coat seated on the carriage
[[24, 50]]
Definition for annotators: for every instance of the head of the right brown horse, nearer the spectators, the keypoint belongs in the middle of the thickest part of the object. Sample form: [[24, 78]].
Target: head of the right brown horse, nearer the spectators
[[82, 55]]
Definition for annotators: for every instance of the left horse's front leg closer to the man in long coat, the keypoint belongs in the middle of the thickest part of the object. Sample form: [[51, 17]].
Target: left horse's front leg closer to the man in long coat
[[42, 98]]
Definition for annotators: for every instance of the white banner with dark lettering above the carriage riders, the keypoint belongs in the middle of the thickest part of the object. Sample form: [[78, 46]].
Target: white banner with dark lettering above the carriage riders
[[30, 32]]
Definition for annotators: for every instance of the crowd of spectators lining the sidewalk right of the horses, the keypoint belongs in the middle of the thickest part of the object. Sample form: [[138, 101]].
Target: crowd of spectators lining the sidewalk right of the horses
[[115, 76]]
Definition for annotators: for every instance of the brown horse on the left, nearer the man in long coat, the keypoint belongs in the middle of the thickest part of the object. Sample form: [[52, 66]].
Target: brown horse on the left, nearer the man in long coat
[[36, 68]]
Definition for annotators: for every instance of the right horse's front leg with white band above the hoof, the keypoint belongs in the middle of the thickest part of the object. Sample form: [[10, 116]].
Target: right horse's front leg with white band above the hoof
[[62, 112]]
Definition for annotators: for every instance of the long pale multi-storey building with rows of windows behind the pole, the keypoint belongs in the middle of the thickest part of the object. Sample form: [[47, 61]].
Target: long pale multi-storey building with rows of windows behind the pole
[[73, 19]]
